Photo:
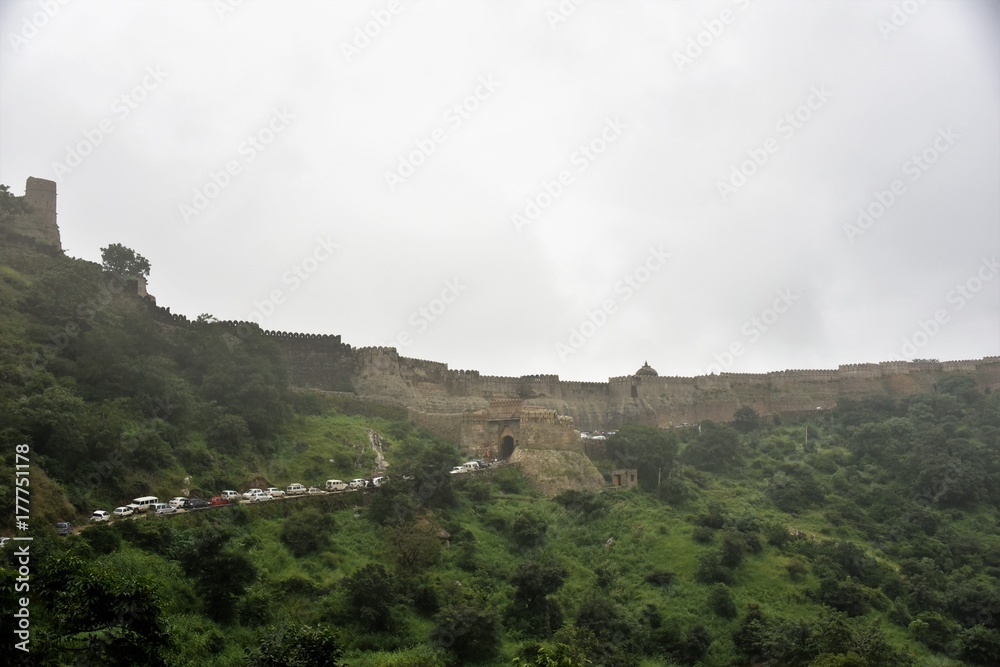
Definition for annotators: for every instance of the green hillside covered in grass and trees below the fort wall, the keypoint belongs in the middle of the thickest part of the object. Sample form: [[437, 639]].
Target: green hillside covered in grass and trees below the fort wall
[[866, 535]]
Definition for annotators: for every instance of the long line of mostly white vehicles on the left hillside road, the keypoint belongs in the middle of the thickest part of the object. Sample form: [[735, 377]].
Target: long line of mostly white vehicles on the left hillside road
[[152, 504]]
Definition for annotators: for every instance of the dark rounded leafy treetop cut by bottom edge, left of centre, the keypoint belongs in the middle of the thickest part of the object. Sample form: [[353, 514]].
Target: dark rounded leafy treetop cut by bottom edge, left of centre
[[298, 646]]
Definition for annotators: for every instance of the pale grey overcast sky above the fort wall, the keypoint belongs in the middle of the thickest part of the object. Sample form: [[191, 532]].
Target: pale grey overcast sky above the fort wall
[[537, 186]]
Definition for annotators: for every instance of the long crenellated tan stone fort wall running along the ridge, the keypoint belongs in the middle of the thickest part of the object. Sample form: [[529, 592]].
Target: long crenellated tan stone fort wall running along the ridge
[[431, 391]]
